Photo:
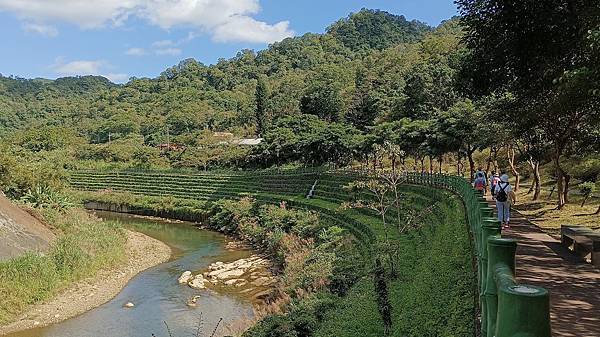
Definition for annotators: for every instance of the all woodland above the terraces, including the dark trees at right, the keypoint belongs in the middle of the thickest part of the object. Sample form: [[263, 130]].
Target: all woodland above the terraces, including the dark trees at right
[[373, 78]]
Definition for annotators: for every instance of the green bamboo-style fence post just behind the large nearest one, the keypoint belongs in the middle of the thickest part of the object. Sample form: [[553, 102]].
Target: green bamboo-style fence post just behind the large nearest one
[[500, 252]]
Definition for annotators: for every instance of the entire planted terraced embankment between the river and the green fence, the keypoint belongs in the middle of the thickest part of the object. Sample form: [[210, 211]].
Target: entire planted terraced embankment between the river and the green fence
[[321, 247]]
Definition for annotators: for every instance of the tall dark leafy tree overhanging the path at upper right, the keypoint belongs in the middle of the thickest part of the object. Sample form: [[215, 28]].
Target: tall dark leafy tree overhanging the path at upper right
[[536, 50]]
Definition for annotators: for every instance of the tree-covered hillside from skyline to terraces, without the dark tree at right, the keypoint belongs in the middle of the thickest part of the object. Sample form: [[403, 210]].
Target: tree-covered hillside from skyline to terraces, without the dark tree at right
[[368, 68]]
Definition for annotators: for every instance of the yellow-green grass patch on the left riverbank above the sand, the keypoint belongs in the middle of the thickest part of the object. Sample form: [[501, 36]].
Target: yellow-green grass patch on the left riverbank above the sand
[[86, 246]]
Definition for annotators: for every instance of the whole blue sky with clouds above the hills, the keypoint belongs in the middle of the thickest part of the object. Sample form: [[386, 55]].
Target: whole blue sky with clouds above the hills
[[123, 38]]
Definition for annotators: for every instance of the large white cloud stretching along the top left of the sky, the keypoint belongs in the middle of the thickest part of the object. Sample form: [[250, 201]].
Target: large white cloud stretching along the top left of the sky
[[225, 20]]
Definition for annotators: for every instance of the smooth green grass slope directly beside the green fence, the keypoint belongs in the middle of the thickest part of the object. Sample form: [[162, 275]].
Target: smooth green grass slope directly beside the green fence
[[432, 296]]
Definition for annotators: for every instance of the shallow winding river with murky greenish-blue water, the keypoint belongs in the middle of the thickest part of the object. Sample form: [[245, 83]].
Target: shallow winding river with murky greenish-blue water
[[157, 295]]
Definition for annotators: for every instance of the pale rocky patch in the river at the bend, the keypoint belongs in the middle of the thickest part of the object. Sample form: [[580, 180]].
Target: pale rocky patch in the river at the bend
[[250, 277]]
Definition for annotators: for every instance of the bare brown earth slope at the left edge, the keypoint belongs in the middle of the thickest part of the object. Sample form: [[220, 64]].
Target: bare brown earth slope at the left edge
[[20, 232]]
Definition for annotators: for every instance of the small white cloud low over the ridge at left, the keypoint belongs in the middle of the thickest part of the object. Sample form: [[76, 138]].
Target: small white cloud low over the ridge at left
[[86, 67]]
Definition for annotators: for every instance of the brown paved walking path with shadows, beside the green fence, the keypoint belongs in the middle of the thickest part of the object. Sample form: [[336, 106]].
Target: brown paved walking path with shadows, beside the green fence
[[574, 285]]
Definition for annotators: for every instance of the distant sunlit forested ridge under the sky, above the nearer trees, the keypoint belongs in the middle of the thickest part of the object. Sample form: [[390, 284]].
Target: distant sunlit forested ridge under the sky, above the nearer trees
[[192, 96]]
